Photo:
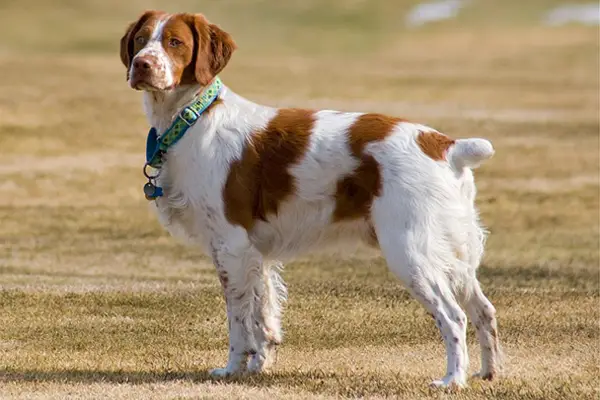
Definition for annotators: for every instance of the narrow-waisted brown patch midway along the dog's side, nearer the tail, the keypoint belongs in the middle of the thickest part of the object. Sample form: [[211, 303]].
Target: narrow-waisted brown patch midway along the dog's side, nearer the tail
[[355, 192]]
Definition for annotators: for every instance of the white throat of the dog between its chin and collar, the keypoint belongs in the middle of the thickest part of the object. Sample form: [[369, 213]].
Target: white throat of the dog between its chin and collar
[[161, 107]]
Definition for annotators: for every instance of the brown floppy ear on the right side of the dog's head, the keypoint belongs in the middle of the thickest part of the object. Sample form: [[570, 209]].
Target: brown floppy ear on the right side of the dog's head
[[213, 48]]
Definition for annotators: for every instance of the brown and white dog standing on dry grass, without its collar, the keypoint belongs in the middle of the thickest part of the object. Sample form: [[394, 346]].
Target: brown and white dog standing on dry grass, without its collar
[[250, 183]]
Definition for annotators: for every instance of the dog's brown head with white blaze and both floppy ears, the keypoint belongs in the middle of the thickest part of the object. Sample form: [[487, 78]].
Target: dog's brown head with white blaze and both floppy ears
[[162, 51]]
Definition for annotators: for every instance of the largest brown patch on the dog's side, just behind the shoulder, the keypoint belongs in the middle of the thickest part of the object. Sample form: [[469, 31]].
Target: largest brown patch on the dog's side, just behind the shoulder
[[260, 180]]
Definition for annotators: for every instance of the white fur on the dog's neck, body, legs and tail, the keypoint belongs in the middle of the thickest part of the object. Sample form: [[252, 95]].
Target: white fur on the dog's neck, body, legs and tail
[[425, 220]]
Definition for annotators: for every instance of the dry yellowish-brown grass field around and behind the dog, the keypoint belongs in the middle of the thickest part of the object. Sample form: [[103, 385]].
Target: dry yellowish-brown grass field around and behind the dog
[[97, 301]]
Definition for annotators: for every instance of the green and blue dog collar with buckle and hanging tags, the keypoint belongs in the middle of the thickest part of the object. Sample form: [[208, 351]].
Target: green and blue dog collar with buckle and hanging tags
[[157, 146]]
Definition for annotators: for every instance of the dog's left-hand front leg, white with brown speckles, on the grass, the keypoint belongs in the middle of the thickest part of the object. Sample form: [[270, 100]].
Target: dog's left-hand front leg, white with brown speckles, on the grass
[[239, 266]]
